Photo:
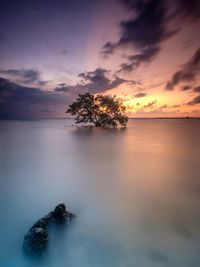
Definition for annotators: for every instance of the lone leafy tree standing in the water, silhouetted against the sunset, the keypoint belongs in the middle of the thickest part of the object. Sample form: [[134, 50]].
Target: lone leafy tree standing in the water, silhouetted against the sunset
[[98, 110]]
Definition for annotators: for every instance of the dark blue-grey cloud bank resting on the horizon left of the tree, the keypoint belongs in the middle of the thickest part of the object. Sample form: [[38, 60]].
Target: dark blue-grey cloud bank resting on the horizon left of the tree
[[21, 102]]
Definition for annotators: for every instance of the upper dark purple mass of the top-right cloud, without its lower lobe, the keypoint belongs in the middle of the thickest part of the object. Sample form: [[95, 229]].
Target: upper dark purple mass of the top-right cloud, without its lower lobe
[[147, 29]]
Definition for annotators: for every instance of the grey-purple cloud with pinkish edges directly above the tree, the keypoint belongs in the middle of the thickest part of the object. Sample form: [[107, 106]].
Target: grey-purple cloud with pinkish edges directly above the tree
[[93, 81]]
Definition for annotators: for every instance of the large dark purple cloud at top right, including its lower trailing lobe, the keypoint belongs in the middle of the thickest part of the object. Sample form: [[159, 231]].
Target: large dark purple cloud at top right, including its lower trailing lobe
[[144, 31]]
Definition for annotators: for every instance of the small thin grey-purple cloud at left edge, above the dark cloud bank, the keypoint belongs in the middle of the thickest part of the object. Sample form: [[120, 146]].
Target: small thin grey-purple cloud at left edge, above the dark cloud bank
[[25, 76]]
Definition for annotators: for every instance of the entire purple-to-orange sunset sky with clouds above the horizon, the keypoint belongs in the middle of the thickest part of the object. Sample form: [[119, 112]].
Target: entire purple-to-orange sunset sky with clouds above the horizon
[[145, 52]]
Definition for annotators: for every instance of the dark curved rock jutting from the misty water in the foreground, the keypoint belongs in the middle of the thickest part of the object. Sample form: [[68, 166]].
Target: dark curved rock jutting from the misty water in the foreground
[[35, 241]]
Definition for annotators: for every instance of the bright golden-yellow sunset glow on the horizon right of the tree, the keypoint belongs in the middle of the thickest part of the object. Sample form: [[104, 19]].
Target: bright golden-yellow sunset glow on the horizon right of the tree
[[160, 103]]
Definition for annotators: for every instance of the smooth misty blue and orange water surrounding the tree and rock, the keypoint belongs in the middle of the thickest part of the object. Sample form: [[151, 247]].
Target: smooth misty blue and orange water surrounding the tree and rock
[[135, 191]]
